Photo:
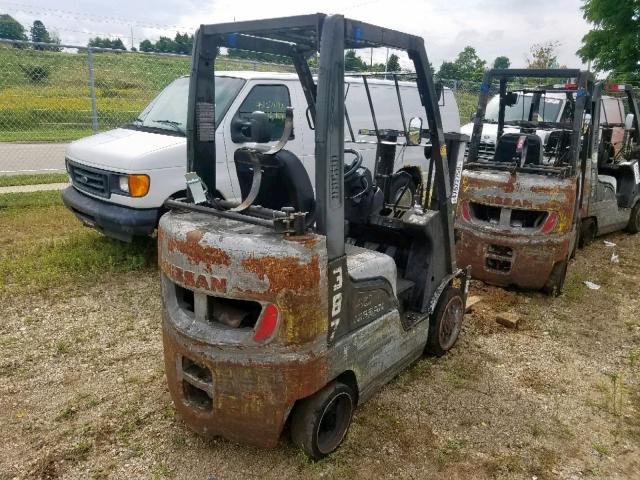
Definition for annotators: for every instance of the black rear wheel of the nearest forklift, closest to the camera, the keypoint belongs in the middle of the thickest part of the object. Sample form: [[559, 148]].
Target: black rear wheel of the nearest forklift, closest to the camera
[[320, 422]]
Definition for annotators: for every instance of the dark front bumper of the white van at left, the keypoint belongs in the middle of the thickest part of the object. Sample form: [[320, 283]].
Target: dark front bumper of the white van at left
[[116, 221]]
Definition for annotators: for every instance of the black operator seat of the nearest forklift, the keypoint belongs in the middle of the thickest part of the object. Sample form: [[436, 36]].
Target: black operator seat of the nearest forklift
[[285, 182]]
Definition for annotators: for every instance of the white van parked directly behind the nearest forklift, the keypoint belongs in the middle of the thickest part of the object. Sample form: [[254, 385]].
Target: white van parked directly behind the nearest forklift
[[120, 179]]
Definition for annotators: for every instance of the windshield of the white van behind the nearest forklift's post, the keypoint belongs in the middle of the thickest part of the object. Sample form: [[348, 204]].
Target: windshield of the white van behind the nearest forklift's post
[[168, 111]]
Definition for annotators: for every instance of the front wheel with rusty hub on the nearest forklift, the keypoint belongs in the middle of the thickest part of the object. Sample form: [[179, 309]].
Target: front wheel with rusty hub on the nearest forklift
[[445, 322]]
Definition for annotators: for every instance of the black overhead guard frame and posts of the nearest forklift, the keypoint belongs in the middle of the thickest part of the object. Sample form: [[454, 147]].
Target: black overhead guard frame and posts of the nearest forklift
[[299, 37]]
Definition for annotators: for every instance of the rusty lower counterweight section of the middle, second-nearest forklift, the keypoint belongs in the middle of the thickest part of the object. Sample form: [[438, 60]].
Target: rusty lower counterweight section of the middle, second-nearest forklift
[[524, 261]]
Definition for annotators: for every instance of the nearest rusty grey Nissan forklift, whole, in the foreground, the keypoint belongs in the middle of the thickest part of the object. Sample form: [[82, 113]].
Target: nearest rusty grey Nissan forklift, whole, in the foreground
[[295, 306]]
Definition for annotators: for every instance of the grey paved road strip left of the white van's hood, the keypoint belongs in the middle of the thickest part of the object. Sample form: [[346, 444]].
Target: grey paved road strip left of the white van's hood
[[31, 157]]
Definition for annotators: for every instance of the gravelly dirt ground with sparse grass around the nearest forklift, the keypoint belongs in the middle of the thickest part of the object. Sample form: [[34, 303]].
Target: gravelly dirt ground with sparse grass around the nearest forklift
[[83, 392]]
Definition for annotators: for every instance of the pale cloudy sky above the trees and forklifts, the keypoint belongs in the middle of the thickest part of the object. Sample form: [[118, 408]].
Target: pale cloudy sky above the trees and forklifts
[[492, 27]]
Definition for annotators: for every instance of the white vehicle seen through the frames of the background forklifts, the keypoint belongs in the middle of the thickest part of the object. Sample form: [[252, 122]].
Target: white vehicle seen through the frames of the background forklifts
[[553, 108]]
